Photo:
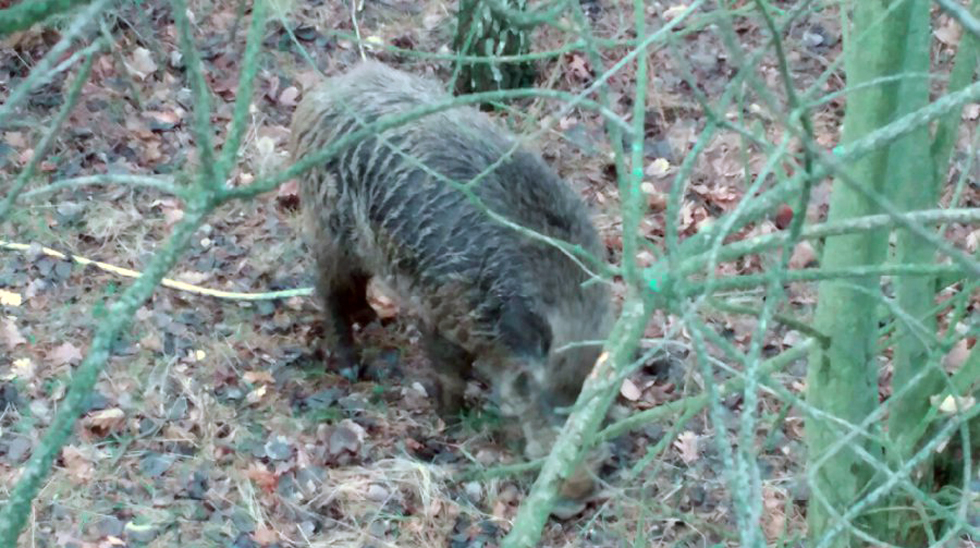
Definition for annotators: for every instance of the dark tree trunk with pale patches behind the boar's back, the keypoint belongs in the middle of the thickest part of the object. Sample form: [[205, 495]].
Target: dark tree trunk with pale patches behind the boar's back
[[486, 32]]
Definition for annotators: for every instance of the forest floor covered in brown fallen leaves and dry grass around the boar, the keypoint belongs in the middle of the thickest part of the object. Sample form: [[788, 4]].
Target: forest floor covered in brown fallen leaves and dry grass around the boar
[[215, 423]]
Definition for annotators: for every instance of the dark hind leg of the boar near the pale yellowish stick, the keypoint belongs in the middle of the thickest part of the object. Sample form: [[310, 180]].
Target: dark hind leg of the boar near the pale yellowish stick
[[343, 294]]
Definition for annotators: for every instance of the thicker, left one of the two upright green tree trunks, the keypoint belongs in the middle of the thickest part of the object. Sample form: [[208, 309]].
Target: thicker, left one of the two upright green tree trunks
[[842, 378]]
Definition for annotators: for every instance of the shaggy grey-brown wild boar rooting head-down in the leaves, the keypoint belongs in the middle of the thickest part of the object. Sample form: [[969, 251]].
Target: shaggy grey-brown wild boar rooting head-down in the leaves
[[488, 296]]
